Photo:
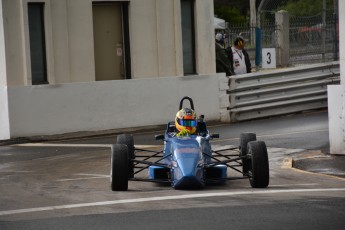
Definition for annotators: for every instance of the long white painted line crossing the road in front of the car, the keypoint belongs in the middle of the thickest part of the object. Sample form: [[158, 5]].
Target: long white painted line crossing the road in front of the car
[[162, 198]]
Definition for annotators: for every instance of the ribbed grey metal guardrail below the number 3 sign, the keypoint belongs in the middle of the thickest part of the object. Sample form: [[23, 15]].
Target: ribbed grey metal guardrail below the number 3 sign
[[281, 92]]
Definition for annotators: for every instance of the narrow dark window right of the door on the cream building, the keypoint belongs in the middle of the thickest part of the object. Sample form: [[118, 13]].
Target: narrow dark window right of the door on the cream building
[[188, 37]]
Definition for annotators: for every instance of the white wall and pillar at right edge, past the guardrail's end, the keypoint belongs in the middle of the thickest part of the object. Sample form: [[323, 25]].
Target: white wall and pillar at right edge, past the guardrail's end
[[336, 96]]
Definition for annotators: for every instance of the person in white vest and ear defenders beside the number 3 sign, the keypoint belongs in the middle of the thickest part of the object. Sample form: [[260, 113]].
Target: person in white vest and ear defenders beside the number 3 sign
[[239, 58]]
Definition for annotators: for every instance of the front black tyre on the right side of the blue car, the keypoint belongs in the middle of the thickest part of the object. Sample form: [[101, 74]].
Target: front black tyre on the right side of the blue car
[[259, 171]]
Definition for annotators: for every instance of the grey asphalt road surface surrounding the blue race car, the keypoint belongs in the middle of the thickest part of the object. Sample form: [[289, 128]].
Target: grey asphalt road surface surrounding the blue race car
[[65, 185]]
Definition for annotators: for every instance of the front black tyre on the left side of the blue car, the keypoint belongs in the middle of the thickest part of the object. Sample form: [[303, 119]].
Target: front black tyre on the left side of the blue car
[[119, 168]]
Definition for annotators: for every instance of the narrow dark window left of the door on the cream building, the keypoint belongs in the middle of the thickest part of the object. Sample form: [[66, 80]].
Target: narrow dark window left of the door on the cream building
[[37, 43]]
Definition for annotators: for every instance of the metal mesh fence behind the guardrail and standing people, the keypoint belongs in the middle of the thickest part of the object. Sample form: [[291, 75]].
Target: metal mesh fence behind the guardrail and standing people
[[313, 39]]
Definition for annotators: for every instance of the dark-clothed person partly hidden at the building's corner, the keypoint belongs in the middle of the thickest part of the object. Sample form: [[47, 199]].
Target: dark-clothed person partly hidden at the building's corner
[[222, 60]]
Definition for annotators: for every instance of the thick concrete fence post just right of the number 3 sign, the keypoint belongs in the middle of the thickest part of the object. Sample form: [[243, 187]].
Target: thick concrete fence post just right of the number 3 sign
[[283, 41]]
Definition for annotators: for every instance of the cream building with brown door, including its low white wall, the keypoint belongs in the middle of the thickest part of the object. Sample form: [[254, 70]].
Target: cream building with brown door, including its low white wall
[[65, 65]]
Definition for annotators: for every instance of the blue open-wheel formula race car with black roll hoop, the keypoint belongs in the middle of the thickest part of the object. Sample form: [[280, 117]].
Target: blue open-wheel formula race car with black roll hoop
[[188, 161]]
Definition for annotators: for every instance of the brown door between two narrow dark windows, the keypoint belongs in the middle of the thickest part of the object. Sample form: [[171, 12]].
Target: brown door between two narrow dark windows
[[108, 41]]
